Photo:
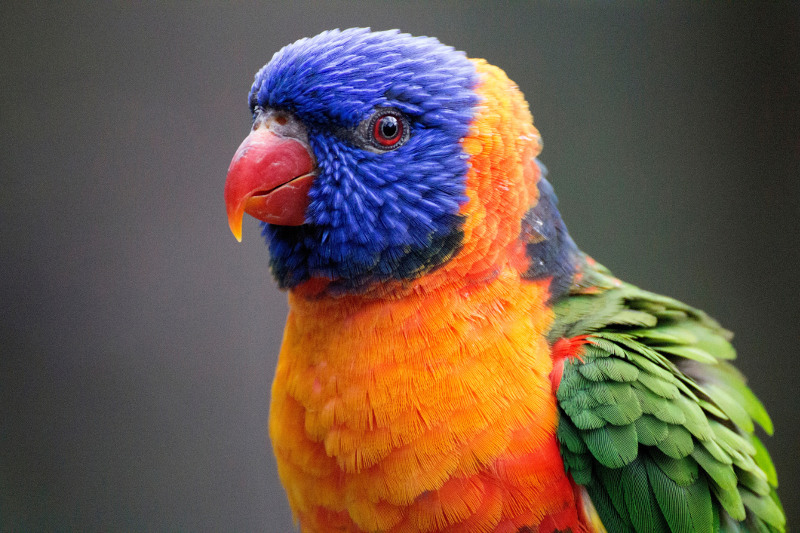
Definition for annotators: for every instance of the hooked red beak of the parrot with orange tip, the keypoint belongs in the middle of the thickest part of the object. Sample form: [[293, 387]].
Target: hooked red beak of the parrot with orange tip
[[269, 178]]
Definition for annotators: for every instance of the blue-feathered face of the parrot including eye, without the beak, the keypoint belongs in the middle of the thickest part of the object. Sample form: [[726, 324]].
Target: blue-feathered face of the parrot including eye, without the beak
[[384, 114]]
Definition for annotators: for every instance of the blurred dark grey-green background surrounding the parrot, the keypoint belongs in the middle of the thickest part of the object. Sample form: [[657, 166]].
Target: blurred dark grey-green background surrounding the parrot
[[138, 339]]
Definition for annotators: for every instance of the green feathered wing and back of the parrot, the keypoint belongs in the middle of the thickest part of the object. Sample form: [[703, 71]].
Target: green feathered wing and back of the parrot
[[655, 423]]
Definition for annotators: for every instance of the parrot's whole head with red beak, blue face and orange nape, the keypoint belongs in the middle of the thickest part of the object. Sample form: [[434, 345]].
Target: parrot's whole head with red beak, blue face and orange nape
[[378, 158]]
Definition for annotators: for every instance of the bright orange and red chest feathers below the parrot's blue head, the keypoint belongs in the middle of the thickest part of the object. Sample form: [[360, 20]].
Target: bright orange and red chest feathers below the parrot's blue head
[[433, 412]]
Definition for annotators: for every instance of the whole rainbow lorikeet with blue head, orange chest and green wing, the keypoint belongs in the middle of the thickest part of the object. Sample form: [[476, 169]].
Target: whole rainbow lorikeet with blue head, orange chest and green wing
[[452, 361]]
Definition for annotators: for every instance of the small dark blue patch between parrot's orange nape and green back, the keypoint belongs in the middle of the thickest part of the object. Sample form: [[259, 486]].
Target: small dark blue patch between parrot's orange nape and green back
[[551, 250]]
